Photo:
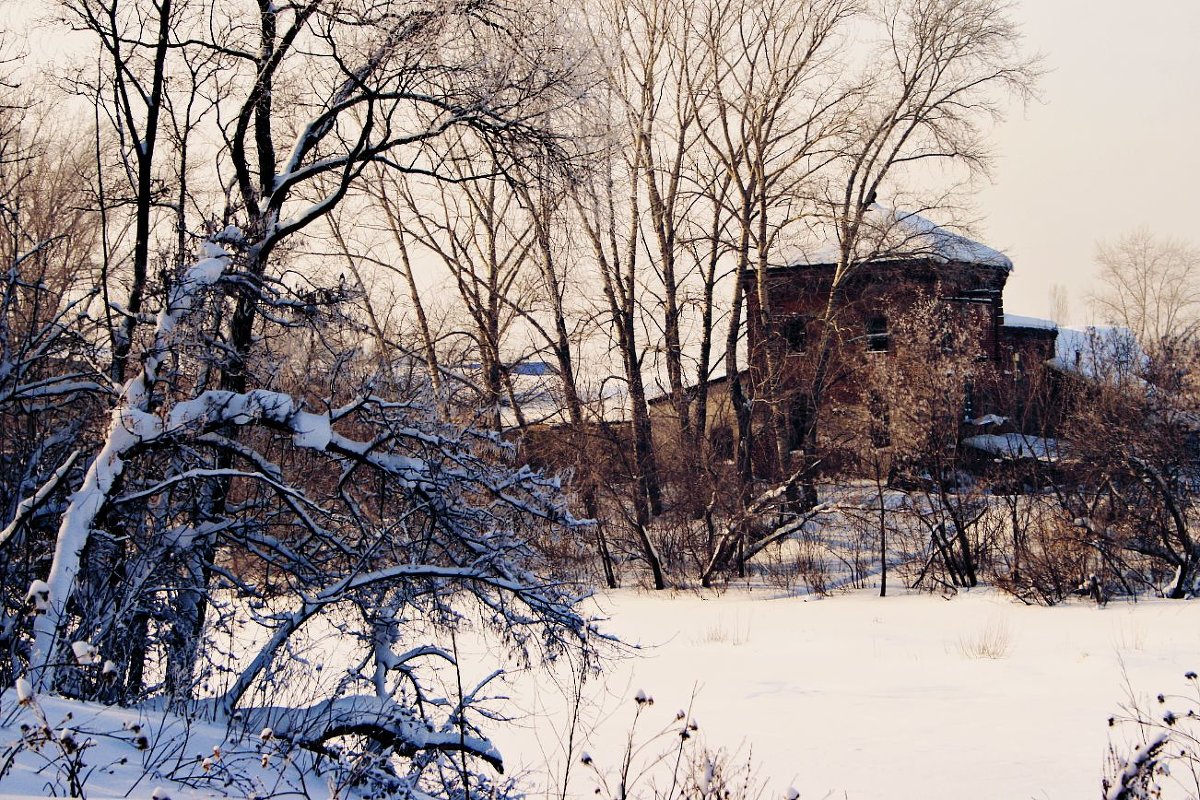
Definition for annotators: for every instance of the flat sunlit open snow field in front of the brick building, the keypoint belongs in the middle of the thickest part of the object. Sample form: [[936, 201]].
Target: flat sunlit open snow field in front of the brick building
[[857, 696]]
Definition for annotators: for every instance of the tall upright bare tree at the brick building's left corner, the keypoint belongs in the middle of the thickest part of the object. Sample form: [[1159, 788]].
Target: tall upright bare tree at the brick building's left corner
[[771, 109]]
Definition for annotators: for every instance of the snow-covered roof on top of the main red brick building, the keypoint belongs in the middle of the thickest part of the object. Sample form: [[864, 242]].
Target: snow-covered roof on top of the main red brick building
[[896, 234]]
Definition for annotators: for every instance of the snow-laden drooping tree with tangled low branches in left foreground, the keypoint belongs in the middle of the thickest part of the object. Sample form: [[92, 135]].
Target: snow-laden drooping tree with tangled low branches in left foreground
[[213, 514]]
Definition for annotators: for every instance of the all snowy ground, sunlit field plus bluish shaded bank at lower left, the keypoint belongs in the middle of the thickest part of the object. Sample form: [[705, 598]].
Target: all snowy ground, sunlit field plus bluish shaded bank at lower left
[[853, 696]]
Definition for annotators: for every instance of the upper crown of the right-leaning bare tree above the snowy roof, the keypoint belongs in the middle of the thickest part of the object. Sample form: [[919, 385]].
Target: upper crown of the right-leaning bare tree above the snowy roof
[[944, 70]]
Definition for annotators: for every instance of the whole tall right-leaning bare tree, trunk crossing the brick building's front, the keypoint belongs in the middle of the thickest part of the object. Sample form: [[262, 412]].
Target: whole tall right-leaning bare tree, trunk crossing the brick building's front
[[941, 73]]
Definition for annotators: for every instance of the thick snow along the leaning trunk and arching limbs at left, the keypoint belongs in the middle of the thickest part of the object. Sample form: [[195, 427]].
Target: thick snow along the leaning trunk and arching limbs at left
[[436, 485]]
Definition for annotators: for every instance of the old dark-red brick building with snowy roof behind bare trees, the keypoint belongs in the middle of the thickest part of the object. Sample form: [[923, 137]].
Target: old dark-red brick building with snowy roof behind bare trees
[[801, 354]]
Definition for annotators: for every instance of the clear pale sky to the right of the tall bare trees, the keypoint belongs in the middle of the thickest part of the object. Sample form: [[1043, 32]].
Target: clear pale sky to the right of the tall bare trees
[[1114, 147]]
